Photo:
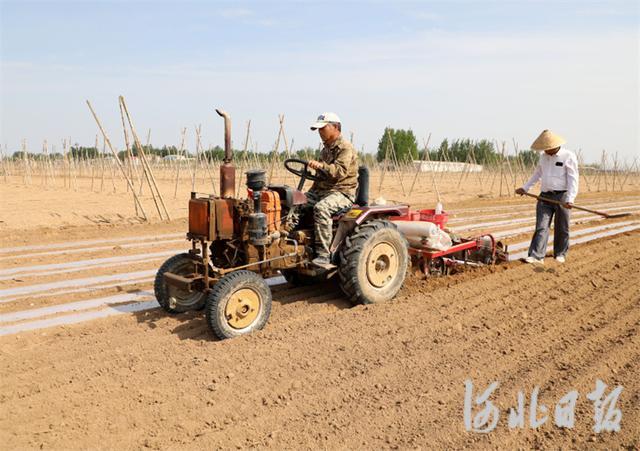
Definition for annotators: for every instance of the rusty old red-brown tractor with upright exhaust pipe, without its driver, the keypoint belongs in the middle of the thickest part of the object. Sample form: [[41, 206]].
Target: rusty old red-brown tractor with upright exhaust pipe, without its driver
[[238, 244]]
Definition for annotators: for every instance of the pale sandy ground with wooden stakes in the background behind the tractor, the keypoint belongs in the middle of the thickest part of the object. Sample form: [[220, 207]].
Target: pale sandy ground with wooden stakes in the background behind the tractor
[[50, 204]]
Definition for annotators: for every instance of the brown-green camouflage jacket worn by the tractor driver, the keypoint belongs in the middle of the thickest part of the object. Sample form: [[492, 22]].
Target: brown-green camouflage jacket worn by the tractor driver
[[340, 161]]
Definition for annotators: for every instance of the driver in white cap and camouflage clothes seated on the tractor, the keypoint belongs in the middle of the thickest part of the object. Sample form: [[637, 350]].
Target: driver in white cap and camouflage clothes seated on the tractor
[[339, 160]]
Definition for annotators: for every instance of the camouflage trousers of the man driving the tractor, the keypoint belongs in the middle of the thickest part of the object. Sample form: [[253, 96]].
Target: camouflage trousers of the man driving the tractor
[[324, 205]]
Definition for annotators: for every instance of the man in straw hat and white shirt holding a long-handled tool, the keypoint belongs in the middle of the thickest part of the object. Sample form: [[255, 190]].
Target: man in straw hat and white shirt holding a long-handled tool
[[557, 171]]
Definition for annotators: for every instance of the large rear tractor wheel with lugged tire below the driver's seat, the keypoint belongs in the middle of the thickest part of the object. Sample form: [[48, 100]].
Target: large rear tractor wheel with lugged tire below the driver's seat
[[373, 262]]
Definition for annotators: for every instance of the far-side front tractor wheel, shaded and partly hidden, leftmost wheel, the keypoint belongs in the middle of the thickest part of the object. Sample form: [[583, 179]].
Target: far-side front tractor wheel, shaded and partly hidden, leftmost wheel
[[171, 299]]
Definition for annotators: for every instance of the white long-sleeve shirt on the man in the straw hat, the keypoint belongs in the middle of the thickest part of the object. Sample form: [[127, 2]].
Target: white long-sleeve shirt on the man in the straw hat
[[557, 172]]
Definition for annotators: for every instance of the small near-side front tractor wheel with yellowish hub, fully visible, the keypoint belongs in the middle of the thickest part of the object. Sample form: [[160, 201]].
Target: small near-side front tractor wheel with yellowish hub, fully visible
[[238, 304]]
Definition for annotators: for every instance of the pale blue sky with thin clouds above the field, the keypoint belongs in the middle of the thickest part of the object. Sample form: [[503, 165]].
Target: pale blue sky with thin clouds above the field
[[476, 69]]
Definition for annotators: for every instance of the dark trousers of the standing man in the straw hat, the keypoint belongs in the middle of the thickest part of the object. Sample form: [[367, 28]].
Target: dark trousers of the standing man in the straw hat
[[545, 213]]
